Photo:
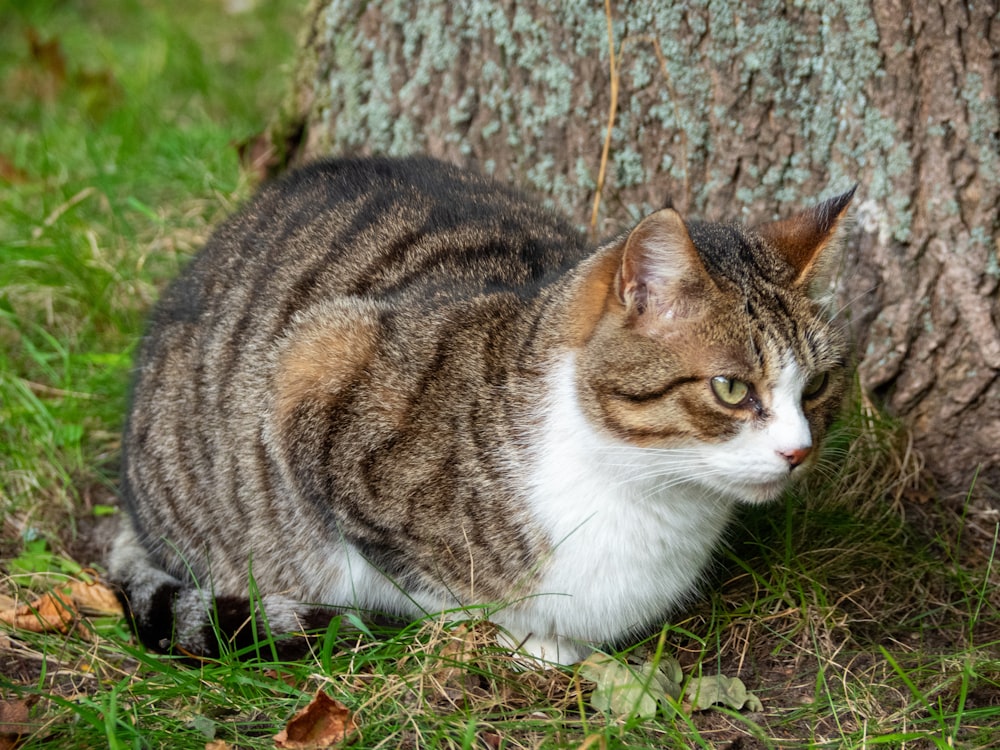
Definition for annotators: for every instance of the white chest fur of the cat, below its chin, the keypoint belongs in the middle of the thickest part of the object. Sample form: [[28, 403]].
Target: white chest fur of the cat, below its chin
[[631, 532]]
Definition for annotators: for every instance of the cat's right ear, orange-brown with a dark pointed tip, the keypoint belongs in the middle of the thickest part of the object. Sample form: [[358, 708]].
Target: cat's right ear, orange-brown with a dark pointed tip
[[808, 241]]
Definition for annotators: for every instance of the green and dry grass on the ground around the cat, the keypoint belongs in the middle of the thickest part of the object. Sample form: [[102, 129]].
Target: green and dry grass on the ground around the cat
[[855, 626]]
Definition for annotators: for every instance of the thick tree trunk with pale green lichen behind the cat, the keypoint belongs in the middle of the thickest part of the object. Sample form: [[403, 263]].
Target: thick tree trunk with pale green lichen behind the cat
[[726, 109]]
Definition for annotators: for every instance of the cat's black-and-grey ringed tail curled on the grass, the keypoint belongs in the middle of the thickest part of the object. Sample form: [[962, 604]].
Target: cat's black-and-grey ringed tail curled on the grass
[[173, 617]]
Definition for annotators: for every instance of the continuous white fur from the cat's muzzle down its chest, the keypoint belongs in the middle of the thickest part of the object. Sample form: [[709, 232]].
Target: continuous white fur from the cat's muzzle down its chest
[[634, 528]]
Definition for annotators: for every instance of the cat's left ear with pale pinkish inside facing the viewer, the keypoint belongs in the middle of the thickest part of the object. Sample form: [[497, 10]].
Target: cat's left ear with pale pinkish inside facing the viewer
[[661, 272]]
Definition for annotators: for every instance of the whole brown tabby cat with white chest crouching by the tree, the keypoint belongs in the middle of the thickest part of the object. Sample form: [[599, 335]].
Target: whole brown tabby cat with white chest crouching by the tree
[[393, 385]]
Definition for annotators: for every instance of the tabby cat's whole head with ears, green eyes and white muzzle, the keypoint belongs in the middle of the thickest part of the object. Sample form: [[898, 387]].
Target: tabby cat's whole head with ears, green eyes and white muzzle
[[715, 349]]
